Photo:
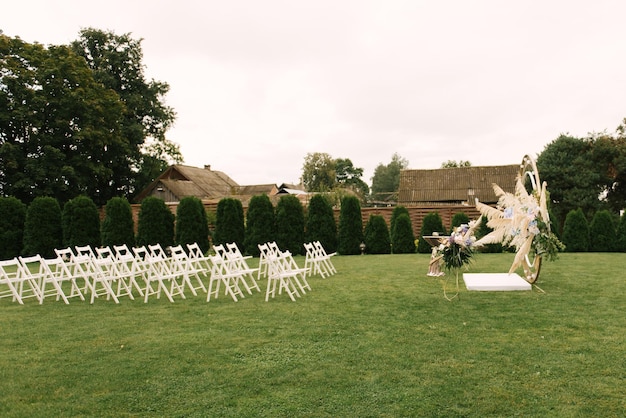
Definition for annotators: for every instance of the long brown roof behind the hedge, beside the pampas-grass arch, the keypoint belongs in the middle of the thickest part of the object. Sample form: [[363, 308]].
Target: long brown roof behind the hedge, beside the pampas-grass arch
[[455, 185]]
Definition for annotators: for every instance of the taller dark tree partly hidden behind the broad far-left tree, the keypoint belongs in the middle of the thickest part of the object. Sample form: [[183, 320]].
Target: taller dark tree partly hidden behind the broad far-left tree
[[116, 62]]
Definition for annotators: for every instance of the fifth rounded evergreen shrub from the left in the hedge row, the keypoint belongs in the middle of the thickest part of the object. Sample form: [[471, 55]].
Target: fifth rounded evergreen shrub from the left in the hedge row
[[155, 223]]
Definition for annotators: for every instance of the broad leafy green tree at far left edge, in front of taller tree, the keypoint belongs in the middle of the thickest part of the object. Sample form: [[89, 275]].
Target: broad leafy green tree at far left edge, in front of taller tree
[[60, 130]]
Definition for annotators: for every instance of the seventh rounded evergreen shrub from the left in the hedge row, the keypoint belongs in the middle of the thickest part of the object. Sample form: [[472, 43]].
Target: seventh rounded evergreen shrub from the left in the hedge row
[[229, 223]]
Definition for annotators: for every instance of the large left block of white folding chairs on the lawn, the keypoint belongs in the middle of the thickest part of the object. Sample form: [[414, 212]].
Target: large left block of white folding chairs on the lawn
[[103, 272]]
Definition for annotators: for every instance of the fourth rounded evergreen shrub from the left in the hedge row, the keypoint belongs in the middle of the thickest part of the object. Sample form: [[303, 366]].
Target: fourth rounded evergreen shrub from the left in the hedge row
[[118, 226]]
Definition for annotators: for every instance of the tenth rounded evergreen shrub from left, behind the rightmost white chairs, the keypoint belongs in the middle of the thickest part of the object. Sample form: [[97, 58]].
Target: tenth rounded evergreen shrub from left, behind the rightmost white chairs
[[320, 223]]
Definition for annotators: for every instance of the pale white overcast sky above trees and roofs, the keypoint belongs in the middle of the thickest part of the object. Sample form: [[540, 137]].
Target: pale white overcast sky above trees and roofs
[[258, 84]]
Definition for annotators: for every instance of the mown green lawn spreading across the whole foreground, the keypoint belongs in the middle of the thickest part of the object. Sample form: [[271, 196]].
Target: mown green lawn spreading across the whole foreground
[[377, 339]]
